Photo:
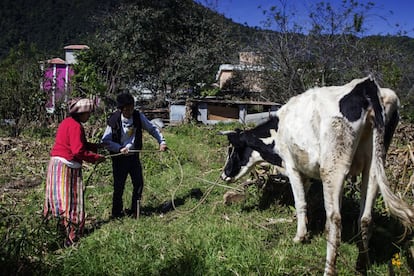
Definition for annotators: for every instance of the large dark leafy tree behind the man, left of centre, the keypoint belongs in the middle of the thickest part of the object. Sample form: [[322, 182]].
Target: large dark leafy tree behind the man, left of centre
[[165, 46]]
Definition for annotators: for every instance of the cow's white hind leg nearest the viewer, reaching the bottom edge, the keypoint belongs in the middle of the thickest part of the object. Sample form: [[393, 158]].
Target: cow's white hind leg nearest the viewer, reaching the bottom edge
[[333, 184]]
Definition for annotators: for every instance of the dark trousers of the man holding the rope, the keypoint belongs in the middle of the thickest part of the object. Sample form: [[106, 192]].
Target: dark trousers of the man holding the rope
[[121, 167]]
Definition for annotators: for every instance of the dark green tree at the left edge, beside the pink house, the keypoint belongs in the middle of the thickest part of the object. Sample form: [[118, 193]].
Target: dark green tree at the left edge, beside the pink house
[[21, 99]]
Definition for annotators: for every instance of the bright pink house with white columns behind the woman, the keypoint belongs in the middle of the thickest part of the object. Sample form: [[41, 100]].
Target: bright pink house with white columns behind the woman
[[56, 76]]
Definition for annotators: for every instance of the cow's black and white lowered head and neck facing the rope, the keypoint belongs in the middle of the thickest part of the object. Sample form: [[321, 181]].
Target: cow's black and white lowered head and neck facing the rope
[[247, 148]]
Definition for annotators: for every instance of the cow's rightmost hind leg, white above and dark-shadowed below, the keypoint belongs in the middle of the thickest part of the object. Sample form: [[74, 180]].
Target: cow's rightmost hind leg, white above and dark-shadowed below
[[369, 191]]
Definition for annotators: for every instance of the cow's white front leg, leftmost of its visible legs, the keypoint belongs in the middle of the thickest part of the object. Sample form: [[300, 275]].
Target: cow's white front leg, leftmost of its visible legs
[[299, 195]]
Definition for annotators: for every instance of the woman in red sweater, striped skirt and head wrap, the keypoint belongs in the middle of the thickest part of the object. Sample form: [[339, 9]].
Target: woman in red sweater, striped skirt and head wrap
[[64, 187]]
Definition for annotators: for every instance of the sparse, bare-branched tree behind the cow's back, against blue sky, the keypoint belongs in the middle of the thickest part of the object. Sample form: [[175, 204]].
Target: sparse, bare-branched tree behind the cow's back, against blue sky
[[330, 52]]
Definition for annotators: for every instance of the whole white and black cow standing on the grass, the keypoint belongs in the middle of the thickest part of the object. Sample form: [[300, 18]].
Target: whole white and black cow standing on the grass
[[328, 133]]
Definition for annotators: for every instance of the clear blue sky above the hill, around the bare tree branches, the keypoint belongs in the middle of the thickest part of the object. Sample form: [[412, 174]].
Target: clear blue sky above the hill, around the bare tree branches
[[381, 20]]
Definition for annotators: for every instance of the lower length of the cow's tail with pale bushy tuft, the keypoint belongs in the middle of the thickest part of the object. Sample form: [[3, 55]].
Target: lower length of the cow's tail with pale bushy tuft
[[396, 206]]
